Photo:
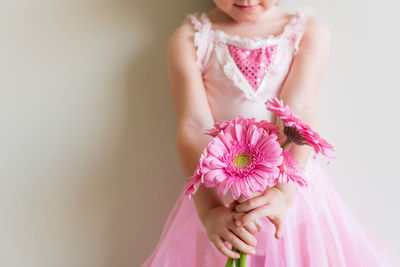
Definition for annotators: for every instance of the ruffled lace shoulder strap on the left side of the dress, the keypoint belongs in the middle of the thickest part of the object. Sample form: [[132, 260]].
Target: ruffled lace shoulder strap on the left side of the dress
[[202, 26]]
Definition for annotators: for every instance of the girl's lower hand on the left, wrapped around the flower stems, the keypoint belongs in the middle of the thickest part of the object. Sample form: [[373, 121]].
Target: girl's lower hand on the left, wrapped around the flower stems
[[220, 227]]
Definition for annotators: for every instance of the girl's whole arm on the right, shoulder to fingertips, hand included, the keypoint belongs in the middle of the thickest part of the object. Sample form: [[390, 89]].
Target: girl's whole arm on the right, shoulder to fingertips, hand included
[[300, 92]]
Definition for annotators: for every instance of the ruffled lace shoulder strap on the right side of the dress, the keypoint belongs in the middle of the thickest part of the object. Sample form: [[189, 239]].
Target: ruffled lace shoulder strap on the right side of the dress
[[297, 25]]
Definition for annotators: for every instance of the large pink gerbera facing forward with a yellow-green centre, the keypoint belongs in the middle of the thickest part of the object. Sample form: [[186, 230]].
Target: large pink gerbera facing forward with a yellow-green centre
[[243, 156]]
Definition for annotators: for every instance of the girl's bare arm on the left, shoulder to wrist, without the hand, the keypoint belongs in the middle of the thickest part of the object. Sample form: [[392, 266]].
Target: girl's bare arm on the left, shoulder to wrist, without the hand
[[192, 108]]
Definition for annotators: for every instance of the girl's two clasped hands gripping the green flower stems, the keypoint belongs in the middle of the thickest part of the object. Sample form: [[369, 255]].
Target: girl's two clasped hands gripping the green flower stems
[[236, 224]]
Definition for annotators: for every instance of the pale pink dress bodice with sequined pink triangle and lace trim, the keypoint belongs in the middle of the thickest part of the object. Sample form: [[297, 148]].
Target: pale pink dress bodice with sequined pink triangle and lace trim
[[240, 74]]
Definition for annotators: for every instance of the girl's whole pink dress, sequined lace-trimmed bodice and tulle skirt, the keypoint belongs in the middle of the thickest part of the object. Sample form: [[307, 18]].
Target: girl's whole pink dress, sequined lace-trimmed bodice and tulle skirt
[[239, 74]]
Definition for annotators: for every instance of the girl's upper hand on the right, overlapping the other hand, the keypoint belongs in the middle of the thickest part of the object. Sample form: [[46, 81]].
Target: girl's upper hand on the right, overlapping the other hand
[[273, 204]]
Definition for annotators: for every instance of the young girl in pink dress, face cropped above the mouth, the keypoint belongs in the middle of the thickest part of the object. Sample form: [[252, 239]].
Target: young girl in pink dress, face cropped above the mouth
[[226, 63]]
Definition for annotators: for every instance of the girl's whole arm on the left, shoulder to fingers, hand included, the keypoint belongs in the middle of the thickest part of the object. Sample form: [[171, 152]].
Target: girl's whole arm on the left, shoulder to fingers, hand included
[[194, 116]]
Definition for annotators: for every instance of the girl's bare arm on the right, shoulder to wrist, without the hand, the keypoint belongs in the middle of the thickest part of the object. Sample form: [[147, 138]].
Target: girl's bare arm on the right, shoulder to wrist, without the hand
[[301, 87]]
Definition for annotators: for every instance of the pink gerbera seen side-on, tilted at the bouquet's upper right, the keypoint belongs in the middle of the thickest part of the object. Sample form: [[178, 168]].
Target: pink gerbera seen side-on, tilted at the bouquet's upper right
[[297, 131]]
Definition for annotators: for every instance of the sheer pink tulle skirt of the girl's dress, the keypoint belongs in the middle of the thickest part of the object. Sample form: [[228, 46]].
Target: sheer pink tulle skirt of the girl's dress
[[319, 231]]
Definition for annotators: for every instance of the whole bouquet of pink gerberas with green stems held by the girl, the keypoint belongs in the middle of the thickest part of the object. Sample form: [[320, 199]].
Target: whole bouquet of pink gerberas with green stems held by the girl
[[246, 157]]
